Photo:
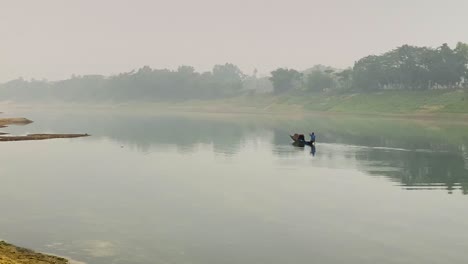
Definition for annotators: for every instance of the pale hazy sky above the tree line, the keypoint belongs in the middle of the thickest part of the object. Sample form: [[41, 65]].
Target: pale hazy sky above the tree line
[[56, 38]]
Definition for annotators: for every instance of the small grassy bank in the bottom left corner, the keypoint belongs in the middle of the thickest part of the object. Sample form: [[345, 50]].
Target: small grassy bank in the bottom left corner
[[10, 254]]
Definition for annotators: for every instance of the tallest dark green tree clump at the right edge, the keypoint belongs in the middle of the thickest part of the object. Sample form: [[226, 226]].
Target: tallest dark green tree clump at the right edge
[[410, 67]]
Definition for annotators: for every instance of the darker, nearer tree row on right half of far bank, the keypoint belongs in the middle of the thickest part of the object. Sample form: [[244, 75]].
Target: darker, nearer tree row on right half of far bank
[[404, 68]]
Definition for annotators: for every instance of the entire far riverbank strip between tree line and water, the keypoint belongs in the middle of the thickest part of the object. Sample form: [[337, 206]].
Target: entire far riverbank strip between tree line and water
[[434, 104]]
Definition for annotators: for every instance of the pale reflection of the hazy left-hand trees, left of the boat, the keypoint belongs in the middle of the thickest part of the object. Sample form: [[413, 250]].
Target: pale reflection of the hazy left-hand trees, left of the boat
[[144, 132]]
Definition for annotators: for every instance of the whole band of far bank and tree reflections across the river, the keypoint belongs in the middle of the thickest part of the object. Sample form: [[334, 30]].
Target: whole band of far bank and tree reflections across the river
[[415, 155]]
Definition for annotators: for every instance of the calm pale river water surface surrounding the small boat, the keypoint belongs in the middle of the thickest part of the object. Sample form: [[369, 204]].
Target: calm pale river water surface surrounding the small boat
[[232, 189]]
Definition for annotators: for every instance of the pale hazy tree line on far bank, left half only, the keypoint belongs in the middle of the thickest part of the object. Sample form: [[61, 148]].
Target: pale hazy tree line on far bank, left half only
[[143, 84]]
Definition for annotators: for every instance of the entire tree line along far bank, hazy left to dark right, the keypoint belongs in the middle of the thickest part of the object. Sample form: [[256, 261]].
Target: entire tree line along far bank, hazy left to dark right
[[404, 68]]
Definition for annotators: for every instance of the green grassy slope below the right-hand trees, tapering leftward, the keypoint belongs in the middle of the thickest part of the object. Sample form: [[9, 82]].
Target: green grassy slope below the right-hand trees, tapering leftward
[[387, 102]]
